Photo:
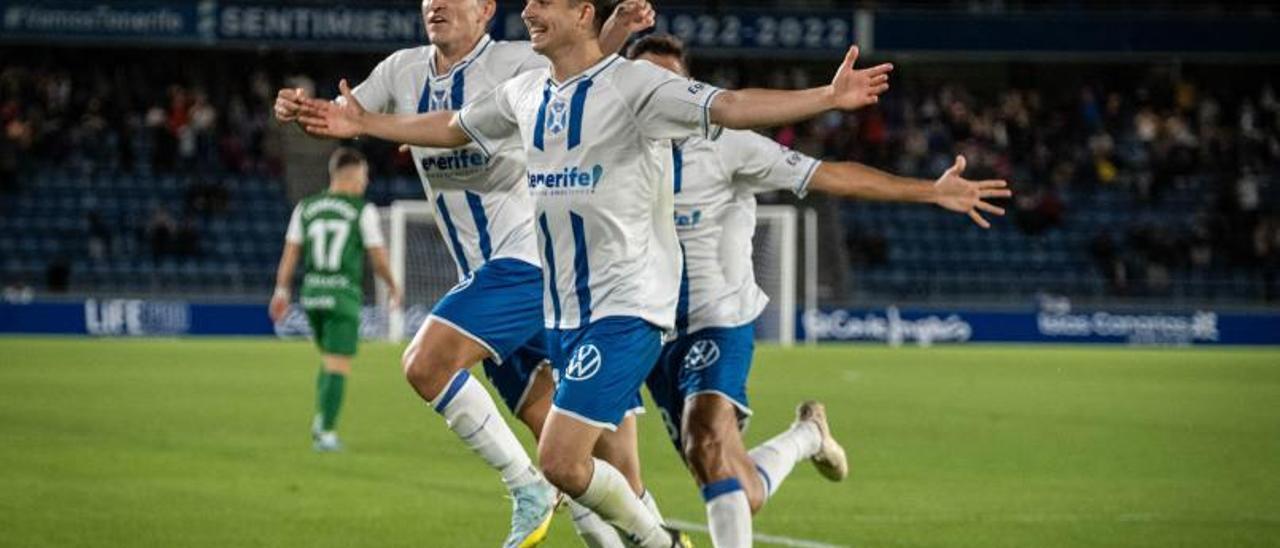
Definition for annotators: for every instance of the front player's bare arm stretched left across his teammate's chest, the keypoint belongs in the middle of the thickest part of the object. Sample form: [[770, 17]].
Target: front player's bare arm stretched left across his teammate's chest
[[350, 120]]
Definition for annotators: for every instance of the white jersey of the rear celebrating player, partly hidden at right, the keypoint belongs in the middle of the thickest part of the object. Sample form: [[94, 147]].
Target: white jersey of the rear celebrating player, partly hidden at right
[[716, 191]]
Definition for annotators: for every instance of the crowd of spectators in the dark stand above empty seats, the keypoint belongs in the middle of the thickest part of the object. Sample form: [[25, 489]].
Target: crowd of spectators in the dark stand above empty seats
[[1139, 136]]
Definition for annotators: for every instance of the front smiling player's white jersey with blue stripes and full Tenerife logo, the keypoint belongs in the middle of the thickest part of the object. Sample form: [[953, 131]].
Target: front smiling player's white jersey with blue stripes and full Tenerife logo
[[600, 161]]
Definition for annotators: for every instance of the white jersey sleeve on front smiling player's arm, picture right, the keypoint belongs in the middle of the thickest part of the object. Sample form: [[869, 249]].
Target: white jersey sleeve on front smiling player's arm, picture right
[[669, 106]]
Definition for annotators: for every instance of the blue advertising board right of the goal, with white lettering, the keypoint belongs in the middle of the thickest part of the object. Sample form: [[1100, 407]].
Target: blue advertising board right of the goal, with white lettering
[[927, 327]]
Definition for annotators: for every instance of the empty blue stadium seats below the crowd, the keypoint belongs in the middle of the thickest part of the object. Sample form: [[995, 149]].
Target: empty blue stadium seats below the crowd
[[931, 254]]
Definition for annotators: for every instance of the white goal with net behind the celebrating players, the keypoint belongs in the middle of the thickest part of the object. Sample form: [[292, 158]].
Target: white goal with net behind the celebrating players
[[420, 259]]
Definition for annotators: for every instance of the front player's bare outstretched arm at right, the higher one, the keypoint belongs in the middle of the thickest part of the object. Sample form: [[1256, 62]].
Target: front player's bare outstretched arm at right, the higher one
[[851, 90]]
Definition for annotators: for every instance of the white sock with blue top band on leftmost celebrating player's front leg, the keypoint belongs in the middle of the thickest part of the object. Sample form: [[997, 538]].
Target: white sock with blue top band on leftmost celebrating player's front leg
[[472, 414]]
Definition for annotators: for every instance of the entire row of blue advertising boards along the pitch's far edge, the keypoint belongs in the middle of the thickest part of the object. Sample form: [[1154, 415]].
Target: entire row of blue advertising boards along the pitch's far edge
[[150, 318]]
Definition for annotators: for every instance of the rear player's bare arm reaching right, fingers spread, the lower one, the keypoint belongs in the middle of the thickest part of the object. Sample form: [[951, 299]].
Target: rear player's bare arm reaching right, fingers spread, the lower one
[[952, 191]]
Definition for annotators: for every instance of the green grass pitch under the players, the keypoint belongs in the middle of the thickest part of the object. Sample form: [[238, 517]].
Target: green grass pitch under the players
[[205, 444]]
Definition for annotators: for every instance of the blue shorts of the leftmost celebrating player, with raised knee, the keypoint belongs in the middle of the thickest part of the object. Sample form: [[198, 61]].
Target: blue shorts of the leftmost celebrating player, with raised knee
[[500, 307]]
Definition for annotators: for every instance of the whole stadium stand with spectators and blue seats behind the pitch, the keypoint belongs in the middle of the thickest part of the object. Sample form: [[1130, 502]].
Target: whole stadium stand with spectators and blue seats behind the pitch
[[1124, 189]]
